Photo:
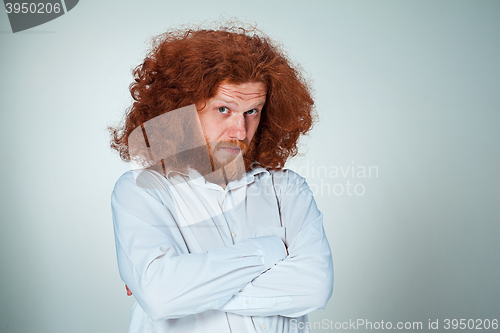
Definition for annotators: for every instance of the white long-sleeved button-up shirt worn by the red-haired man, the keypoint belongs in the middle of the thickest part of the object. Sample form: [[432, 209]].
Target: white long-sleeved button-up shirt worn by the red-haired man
[[200, 258]]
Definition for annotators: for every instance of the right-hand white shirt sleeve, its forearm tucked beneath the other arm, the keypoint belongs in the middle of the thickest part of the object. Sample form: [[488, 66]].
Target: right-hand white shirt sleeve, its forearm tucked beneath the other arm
[[302, 282]]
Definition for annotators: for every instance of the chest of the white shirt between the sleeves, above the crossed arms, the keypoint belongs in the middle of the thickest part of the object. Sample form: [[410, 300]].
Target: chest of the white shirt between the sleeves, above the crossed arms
[[210, 217]]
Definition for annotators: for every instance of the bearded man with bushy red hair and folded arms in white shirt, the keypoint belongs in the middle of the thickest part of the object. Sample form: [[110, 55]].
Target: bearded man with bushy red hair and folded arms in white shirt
[[213, 235]]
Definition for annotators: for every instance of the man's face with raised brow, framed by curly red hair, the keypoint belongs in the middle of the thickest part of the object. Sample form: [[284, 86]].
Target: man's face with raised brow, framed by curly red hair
[[230, 119]]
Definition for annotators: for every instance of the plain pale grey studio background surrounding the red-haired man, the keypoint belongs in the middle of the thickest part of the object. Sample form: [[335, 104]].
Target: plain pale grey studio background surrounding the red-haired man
[[409, 87]]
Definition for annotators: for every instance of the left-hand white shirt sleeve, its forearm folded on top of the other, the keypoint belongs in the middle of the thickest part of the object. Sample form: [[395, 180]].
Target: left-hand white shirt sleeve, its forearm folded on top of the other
[[153, 260]]
